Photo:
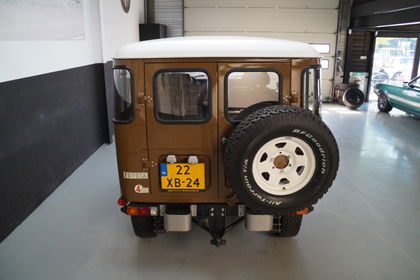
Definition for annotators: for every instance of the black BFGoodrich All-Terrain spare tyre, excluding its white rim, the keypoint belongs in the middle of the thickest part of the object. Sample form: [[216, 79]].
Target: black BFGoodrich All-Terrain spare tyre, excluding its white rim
[[263, 126]]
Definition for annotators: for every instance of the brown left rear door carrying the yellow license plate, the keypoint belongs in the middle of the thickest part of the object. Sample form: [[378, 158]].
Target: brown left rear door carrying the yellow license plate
[[181, 113]]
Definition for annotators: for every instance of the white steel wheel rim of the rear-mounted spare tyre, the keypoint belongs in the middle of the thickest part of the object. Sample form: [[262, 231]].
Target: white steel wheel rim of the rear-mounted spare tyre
[[294, 176]]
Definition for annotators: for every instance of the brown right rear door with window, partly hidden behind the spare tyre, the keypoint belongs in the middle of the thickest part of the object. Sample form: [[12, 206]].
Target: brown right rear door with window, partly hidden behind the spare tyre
[[243, 88]]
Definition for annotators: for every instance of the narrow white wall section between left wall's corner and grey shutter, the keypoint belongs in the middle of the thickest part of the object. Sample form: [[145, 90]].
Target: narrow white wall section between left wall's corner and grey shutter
[[117, 27]]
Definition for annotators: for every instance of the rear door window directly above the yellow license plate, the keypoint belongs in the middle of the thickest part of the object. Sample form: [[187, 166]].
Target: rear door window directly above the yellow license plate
[[182, 96]]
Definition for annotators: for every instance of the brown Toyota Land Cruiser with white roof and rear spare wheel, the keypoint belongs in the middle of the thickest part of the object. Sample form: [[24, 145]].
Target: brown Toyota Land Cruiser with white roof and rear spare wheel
[[217, 129]]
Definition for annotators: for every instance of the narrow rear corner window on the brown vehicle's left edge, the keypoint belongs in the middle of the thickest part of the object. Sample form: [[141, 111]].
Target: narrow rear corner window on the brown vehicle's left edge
[[123, 88]]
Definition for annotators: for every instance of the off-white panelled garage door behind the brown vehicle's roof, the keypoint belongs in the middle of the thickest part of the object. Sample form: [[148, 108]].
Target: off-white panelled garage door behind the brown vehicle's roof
[[310, 21]]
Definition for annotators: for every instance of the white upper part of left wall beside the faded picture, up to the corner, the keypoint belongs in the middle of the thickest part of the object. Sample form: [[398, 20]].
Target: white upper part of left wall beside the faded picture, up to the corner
[[20, 59]]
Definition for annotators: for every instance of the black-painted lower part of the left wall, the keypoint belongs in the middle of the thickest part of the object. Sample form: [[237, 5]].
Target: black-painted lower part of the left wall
[[50, 124]]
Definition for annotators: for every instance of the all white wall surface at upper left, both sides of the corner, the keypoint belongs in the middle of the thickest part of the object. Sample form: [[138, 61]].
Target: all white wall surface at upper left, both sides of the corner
[[107, 28]]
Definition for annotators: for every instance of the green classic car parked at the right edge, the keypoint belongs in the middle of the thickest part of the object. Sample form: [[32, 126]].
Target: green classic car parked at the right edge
[[403, 96]]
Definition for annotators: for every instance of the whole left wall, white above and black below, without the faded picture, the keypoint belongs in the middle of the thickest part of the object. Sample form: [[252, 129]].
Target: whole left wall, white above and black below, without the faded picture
[[53, 107]]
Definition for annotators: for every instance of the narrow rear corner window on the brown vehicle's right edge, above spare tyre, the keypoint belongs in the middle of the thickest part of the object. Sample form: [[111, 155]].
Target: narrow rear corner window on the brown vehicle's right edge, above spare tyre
[[311, 88]]
